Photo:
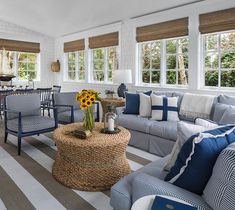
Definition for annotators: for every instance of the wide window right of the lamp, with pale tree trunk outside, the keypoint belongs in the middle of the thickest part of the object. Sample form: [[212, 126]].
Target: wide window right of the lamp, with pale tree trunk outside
[[166, 59]]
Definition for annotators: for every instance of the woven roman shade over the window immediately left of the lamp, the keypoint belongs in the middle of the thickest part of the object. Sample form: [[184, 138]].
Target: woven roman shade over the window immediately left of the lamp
[[105, 40]]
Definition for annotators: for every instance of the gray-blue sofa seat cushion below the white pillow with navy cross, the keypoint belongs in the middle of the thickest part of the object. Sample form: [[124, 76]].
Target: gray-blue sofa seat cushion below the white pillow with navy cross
[[164, 129]]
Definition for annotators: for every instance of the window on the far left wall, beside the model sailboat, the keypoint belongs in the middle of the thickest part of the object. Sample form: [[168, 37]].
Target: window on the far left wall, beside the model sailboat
[[25, 65]]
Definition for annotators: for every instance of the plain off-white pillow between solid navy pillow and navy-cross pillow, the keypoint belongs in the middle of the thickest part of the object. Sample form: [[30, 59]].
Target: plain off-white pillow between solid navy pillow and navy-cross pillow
[[145, 105]]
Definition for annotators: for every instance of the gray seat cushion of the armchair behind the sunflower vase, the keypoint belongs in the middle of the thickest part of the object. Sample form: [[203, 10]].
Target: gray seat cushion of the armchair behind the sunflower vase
[[66, 116]]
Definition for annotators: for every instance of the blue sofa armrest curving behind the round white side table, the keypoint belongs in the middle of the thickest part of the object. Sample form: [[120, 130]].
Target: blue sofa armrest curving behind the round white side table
[[144, 184]]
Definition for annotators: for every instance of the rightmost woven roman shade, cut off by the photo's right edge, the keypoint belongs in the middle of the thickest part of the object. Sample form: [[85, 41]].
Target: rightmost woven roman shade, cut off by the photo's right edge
[[217, 21]]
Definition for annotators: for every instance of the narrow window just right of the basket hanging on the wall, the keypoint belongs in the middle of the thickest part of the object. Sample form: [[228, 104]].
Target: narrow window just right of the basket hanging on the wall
[[76, 65]]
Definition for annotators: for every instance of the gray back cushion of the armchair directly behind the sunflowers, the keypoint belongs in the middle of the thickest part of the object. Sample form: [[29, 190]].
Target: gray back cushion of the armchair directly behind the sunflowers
[[66, 99]]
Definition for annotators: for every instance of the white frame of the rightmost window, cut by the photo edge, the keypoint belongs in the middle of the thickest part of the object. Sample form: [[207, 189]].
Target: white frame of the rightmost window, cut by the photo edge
[[219, 51]]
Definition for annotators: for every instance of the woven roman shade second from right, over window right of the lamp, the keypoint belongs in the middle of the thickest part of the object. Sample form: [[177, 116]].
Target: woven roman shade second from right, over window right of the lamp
[[164, 30]]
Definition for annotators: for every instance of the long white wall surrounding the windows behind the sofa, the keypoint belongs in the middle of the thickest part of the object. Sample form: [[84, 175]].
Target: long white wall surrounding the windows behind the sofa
[[127, 44]]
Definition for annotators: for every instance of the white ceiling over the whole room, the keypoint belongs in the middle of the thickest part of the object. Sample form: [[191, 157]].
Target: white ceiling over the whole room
[[60, 17]]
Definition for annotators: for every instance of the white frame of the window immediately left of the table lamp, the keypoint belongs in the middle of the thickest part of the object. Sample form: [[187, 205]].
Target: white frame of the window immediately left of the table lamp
[[106, 70]]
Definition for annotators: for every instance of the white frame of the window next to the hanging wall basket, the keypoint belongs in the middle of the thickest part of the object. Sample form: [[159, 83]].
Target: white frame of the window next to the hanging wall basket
[[77, 65]]
